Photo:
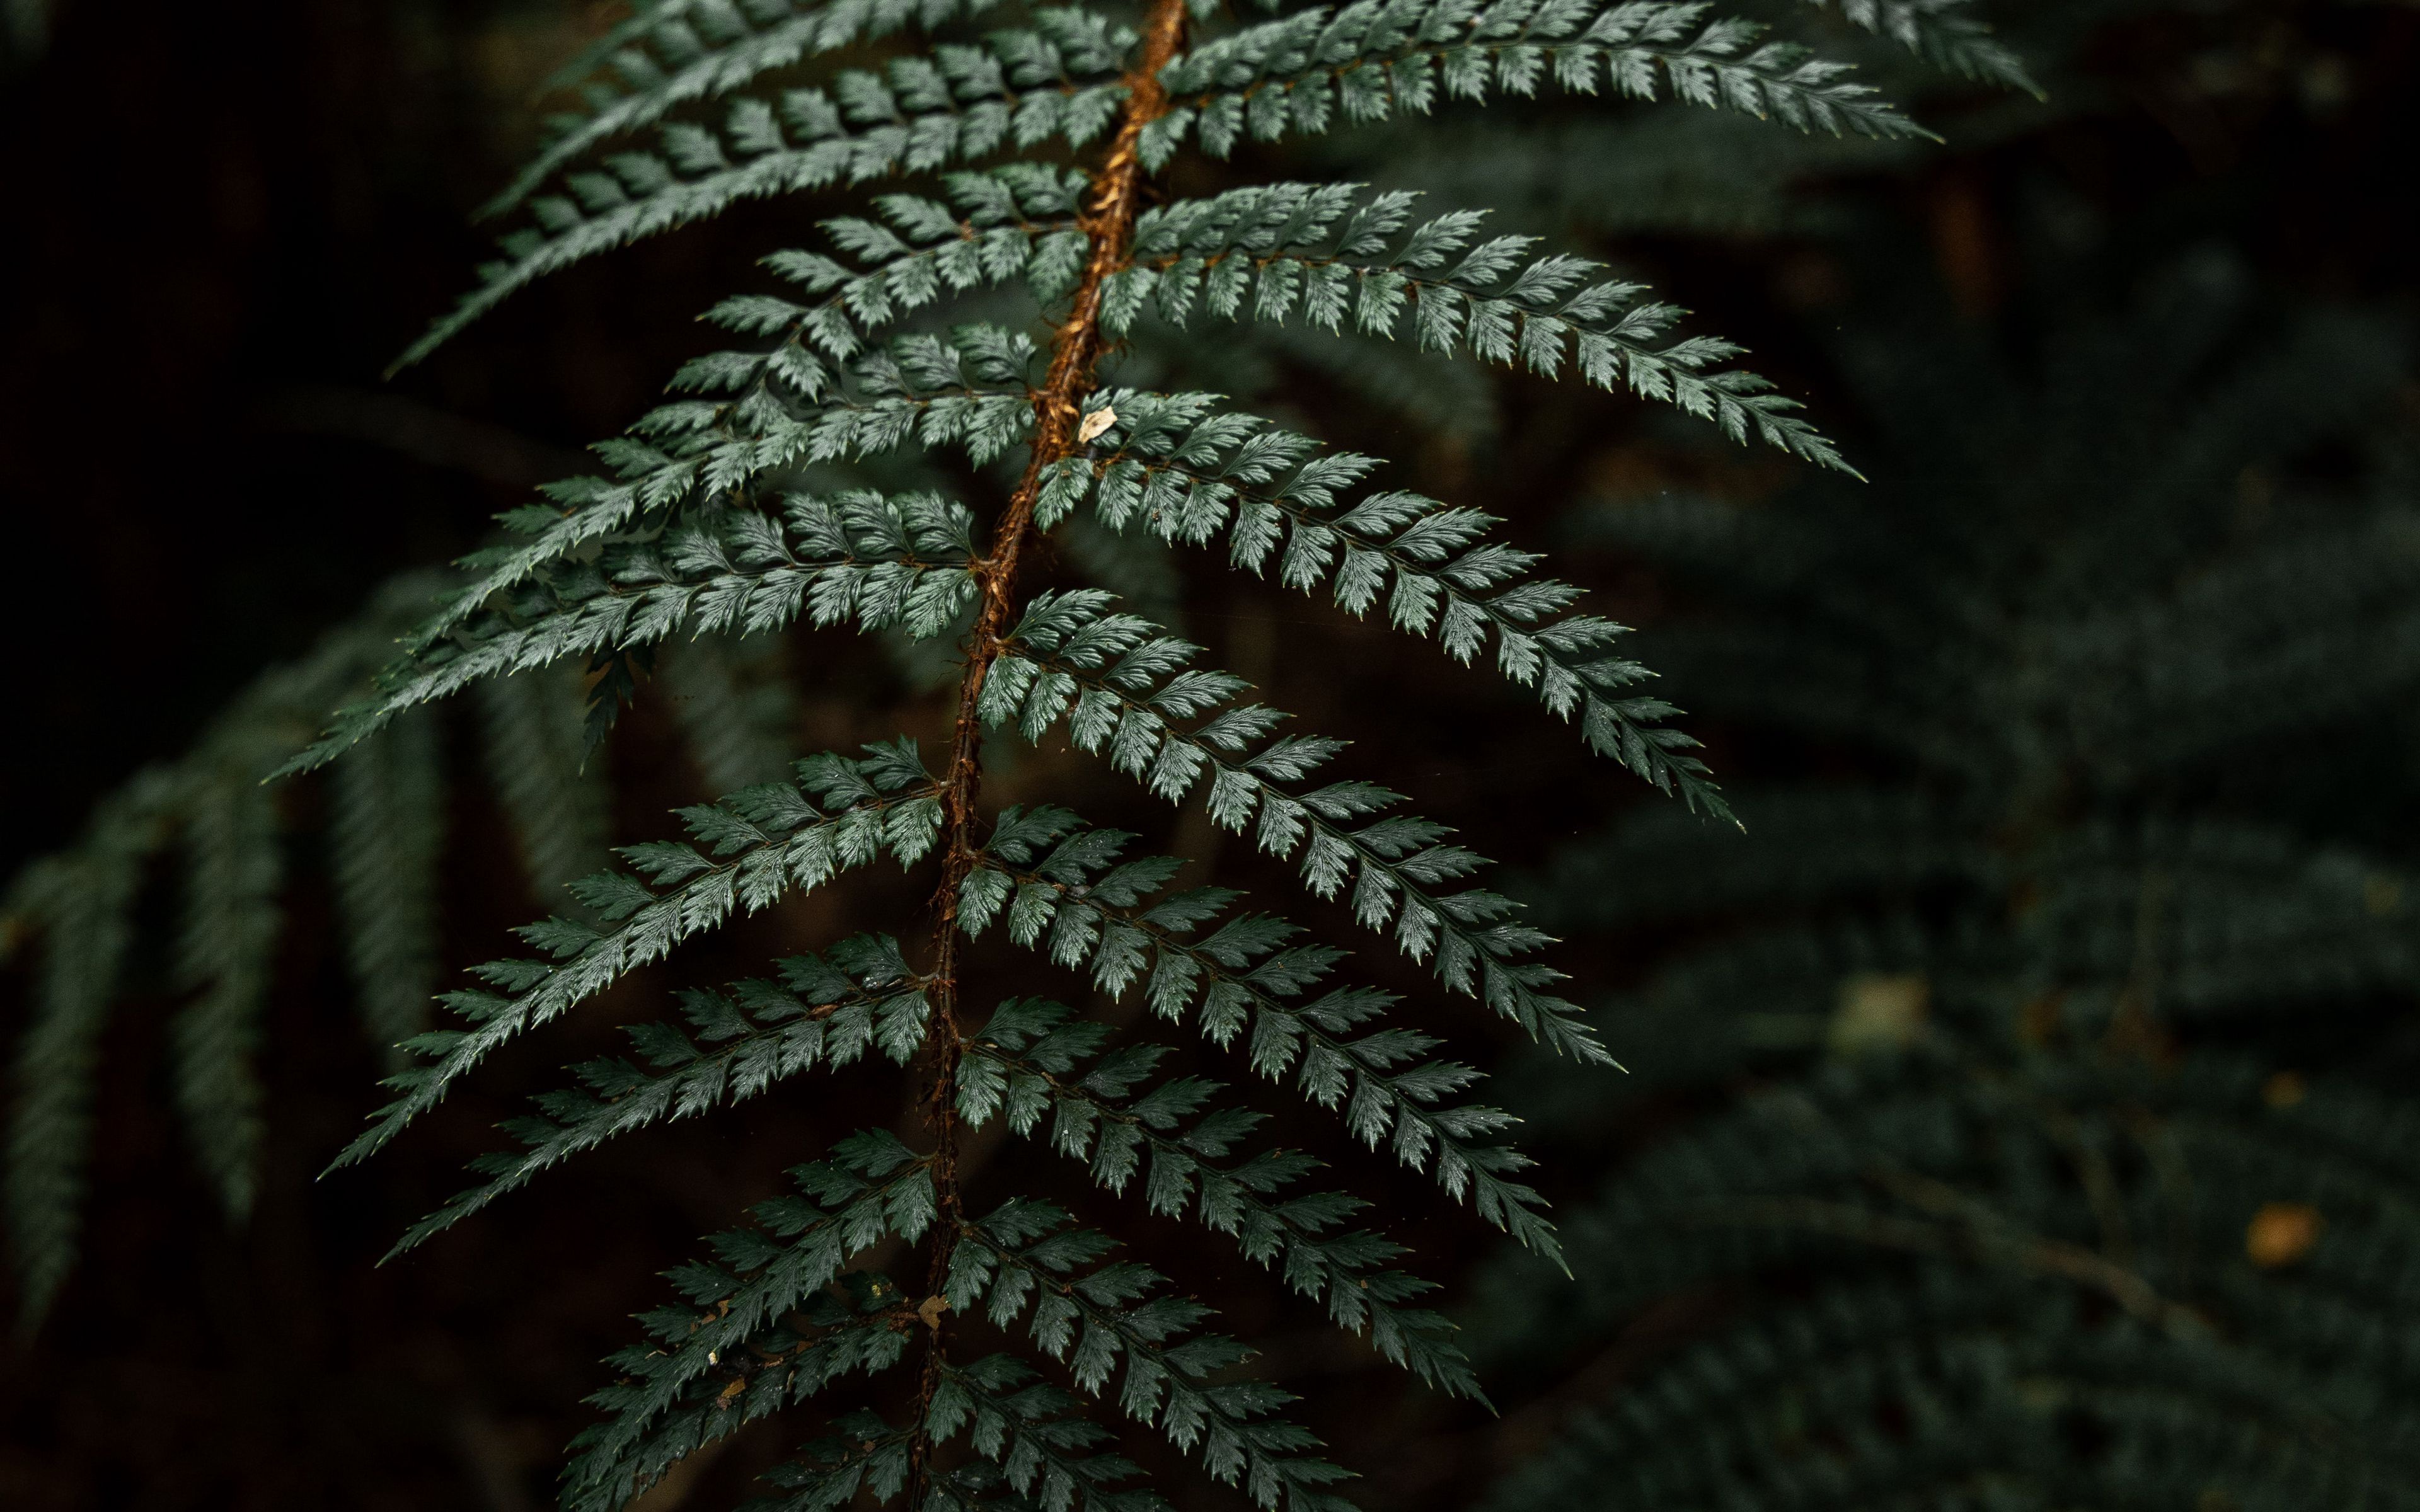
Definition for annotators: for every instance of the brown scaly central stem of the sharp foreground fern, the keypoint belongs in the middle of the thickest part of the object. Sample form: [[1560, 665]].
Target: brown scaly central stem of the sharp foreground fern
[[1076, 350]]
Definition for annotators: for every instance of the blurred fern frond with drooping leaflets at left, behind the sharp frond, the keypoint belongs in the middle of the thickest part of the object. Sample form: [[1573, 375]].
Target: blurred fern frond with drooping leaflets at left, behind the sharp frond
[[229, 838]]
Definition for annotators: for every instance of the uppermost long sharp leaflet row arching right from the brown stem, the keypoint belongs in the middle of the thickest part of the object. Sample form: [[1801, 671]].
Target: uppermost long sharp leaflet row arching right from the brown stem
[[1378, 59]]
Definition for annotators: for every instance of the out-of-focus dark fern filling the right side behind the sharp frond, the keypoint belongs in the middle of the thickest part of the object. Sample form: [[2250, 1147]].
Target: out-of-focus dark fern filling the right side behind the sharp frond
[[2061, 1150]]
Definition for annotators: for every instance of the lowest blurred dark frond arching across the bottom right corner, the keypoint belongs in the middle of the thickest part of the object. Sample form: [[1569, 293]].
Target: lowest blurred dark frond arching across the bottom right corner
[[1998, 1378]]
